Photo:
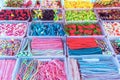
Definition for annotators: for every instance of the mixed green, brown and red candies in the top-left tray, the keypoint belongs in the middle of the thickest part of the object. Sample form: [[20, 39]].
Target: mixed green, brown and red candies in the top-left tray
[[18, 3]]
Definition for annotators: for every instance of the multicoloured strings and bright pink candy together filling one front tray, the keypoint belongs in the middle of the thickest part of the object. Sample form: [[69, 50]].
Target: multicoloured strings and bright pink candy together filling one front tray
[[39, 70]]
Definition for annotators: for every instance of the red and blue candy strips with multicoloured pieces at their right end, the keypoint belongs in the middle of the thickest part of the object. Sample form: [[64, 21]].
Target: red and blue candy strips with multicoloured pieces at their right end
[[86, 46]]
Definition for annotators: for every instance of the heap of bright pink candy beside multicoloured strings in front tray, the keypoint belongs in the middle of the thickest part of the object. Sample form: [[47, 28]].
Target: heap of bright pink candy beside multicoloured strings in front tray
[[53, 70]]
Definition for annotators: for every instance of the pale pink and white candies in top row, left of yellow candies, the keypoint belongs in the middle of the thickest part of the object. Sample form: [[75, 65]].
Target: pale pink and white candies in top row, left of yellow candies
[[51, 4]]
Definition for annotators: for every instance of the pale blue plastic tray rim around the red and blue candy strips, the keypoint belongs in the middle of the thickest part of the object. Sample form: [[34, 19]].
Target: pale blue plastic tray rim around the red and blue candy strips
[[98, 38]]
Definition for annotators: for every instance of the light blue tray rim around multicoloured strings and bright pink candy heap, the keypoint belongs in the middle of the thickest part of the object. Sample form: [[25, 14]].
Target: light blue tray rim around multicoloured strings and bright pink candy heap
[[41, 59]]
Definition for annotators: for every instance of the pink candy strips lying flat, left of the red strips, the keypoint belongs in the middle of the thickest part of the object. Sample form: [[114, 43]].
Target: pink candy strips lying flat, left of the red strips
[[43, 44]]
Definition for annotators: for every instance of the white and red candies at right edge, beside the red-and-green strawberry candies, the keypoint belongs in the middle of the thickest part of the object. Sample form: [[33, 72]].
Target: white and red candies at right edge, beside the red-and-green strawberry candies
[[112, 28]]
